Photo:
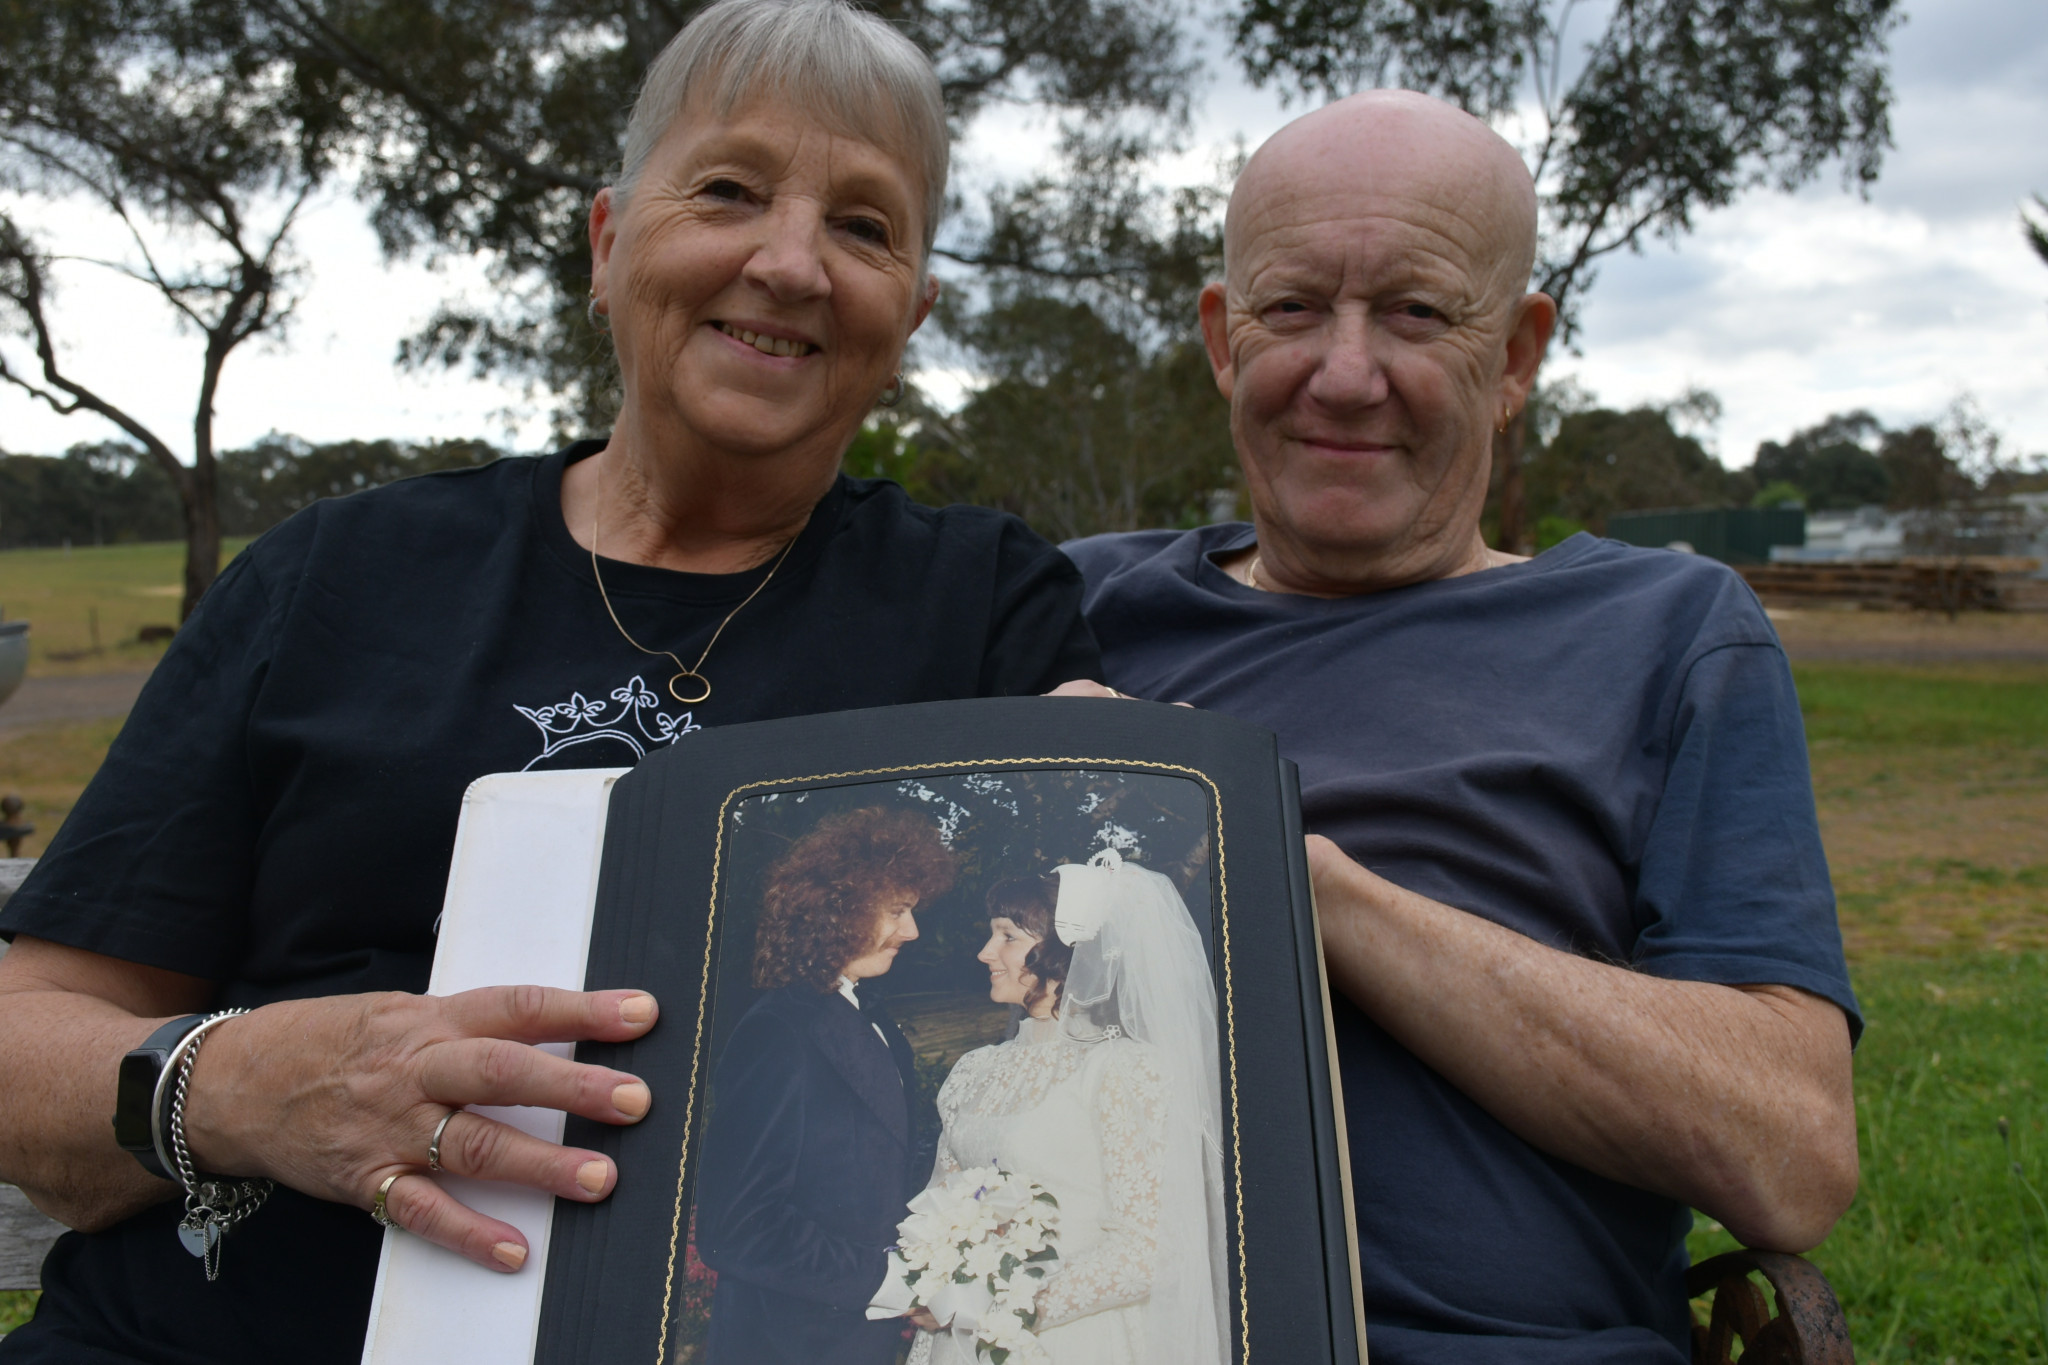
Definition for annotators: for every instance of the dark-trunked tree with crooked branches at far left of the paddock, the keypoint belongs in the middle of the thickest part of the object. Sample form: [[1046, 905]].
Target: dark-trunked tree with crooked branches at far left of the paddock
[[204, 155]]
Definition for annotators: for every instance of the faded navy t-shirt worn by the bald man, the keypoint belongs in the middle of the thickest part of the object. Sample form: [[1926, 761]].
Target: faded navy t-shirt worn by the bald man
[[1601, 750]]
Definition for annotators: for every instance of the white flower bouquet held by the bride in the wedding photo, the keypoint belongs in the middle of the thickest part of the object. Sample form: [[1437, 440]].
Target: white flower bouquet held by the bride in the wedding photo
[[974, 1253]]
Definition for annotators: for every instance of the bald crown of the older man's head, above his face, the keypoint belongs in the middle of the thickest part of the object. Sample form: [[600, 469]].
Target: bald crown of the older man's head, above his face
[[1398, 144]]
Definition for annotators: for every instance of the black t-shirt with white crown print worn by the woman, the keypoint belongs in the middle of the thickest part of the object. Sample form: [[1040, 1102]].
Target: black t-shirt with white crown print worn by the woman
[[280, 809]]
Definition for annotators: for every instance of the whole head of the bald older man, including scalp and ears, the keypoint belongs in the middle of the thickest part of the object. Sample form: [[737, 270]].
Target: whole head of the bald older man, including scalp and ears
[[1373, 335]]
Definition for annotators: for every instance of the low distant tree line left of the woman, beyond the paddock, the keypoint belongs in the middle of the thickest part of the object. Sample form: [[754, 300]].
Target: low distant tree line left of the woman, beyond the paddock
[[110, 492]]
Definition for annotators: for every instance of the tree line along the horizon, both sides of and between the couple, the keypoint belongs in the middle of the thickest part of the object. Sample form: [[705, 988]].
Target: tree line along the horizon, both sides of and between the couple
[[1078, 433]]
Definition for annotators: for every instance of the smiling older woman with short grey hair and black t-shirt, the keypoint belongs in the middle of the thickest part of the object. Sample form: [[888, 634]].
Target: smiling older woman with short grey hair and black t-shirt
[[273, 828]]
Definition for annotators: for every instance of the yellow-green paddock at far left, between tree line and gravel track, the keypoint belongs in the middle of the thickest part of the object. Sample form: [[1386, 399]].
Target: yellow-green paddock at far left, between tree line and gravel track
[[112, 588]]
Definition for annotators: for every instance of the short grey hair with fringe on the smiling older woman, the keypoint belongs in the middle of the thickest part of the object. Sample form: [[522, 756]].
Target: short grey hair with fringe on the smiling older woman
[[824, 56]]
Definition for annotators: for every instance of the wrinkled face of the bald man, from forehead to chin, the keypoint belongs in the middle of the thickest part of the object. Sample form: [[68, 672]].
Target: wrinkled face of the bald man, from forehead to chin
[[1363, 349]]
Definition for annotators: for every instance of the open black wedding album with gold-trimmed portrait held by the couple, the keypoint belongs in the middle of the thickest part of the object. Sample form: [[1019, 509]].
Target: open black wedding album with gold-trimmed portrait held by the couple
[[990, 1032]]
